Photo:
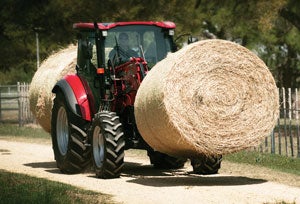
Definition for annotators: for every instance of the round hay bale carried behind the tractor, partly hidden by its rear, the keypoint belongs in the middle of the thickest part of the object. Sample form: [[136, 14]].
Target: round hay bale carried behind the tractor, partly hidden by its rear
[[51, 70]]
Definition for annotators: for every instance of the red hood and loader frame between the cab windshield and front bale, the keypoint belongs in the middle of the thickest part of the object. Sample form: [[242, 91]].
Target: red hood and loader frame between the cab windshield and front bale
[[128, 78]]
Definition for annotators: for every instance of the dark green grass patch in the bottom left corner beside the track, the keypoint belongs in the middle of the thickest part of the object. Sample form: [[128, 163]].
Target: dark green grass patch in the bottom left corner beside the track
[[19, 188]]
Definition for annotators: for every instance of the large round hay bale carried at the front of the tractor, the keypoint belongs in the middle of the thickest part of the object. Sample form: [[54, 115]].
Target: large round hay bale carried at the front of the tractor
[[212, 97]]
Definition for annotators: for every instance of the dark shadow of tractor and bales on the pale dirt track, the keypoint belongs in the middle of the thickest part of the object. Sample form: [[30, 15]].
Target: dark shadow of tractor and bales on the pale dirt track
[[149, 176]]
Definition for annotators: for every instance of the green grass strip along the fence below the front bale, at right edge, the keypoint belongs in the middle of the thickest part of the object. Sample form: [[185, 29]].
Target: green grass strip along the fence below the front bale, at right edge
[[272, 161]]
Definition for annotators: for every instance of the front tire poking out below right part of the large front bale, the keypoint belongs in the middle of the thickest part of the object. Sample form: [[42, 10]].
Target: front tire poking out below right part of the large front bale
[[206, 165]]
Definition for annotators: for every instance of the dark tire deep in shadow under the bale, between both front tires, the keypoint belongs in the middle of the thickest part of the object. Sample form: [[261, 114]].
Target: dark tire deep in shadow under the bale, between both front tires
[[164, 161]]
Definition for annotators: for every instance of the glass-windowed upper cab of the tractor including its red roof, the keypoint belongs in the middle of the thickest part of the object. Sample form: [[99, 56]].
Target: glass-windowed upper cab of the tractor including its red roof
[[99, 43]]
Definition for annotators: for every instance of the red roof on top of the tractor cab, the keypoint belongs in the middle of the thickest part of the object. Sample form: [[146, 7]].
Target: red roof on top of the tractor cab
[[107, 26]]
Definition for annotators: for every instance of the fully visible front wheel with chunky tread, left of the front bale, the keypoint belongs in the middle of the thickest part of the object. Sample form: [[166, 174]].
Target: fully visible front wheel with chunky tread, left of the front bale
[[108, 145]]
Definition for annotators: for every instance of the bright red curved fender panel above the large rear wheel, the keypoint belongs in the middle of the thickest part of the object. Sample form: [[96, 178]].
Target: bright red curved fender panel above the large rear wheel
[[80, 93]]
